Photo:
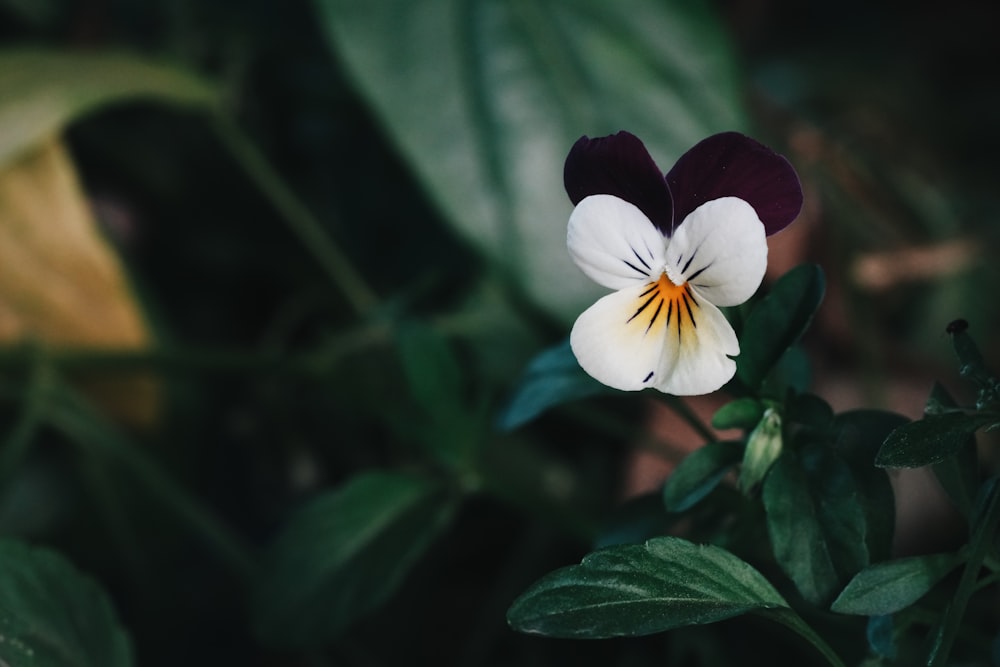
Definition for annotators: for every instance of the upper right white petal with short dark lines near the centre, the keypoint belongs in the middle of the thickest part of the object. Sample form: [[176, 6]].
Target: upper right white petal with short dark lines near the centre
[[721, 249]]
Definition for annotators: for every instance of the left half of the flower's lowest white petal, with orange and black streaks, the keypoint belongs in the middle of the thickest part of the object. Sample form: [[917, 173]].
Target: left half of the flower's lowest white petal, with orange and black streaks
[[621, 343]]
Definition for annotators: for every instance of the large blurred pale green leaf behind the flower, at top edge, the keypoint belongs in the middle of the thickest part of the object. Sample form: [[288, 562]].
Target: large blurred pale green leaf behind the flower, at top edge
[[484, 98]]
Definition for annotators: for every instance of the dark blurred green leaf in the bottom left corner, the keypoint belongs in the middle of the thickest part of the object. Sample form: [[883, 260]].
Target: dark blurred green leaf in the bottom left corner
[[52, 615]]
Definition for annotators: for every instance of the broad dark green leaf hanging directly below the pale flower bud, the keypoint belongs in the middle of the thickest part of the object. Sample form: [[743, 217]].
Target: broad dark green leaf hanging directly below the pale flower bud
[[815, 520]]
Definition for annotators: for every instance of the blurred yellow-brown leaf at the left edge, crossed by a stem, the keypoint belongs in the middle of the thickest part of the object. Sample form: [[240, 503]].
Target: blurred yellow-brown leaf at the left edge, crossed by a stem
[[60, 281]]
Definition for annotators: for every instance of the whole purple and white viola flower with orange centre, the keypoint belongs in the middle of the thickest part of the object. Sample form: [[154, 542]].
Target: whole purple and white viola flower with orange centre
[[674, 248]]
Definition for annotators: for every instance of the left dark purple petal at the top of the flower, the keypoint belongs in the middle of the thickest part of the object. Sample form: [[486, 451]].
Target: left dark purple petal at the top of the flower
[[619, 165]]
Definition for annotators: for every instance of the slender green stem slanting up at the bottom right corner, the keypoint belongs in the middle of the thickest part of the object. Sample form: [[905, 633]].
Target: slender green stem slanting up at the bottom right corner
[[982, 543]]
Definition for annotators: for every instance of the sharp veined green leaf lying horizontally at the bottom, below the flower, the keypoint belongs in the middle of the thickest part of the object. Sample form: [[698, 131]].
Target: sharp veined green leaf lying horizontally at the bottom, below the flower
[[636, 590]]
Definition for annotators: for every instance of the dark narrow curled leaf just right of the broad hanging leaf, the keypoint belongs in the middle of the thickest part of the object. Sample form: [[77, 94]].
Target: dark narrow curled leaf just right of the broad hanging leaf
[[858, 434]]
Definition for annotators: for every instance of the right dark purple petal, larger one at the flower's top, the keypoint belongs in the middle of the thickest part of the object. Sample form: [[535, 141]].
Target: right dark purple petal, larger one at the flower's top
[[733, 165]]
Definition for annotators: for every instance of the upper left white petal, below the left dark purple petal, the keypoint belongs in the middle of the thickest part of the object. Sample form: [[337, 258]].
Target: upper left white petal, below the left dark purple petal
[[613, 242]]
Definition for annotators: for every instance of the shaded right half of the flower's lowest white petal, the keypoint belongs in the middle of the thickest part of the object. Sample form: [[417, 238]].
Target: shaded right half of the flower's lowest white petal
[[703, 364]]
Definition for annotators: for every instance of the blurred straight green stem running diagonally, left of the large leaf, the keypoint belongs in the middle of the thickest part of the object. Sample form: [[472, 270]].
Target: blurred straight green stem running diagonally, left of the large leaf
[[298, 218]]
